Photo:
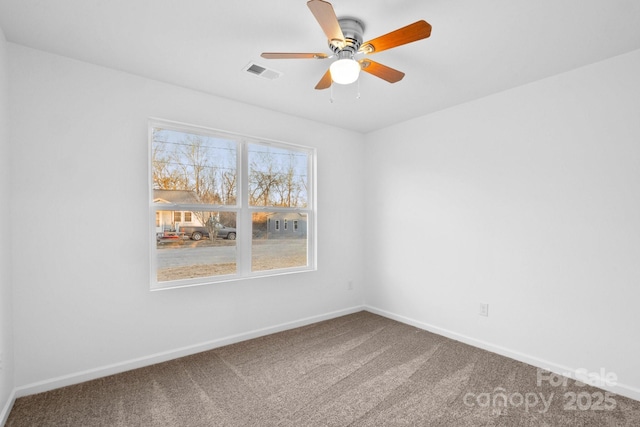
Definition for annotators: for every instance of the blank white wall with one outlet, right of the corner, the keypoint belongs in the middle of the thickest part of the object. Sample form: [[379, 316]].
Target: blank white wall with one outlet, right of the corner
[[527, 200]]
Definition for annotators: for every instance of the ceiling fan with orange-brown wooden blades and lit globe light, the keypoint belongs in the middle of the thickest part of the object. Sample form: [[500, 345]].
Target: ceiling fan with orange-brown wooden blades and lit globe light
[[345, 40]]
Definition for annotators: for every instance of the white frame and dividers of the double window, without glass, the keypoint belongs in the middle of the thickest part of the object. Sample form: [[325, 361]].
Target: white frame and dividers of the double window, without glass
[[243, 211]]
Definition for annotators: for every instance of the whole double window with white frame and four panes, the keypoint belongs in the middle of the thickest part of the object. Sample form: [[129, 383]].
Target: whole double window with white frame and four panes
[[230, 190]]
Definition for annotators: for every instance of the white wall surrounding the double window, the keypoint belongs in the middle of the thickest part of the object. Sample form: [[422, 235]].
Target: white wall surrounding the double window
[[81, 283]]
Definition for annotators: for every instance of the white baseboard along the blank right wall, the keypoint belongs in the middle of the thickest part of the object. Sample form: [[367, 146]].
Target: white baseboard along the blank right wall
[[620, 389]]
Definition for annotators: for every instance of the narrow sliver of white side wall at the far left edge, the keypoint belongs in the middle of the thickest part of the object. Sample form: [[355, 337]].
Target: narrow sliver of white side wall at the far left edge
[[6, 330]]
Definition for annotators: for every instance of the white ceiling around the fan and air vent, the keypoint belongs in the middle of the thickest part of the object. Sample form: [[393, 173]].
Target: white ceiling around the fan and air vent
[[476, 47]]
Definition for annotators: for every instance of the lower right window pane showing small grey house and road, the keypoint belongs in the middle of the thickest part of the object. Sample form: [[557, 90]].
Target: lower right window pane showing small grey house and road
[[274, 247]]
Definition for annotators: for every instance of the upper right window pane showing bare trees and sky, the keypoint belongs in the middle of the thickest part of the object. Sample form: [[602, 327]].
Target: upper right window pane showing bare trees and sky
[[277, 176]]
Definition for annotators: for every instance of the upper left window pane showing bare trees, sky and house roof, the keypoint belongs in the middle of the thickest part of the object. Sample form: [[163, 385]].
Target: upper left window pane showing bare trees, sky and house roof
[[195, 168]]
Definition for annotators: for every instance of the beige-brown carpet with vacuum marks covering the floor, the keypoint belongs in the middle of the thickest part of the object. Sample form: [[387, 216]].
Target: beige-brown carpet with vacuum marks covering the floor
[[356, 370]]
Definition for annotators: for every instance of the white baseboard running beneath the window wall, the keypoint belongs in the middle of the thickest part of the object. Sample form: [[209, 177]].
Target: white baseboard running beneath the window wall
[[152, 359]]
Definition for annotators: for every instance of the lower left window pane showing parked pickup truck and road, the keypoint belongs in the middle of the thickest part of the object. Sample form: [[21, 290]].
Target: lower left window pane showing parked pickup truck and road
[[202, 250]]
